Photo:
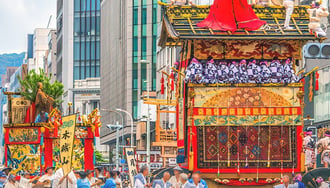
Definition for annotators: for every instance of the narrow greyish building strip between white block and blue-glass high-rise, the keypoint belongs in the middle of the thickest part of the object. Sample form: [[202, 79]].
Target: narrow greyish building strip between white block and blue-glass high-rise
[[50, 63]]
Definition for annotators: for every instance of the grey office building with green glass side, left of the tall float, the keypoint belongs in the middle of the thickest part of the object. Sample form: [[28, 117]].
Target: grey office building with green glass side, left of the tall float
[[127, 38]]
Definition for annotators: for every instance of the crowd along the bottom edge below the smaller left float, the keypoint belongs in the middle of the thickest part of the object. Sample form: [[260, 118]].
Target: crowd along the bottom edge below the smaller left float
[[74, 179]]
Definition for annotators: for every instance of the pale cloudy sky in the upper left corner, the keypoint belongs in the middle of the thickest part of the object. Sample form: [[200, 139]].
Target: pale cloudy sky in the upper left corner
[[19, 18]]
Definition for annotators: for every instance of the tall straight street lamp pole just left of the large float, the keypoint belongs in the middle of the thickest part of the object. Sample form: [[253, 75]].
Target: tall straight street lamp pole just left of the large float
[[148, 115]]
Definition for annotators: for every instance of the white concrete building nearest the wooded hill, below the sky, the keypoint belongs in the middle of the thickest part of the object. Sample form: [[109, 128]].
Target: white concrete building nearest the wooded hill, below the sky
[[40, 47]]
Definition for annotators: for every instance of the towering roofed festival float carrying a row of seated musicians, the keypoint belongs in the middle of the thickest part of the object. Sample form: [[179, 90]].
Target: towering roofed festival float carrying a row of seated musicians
[[240, 89]]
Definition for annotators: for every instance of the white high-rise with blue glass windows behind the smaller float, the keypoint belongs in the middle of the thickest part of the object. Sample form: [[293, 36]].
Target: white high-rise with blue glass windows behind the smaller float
[[78, 53]]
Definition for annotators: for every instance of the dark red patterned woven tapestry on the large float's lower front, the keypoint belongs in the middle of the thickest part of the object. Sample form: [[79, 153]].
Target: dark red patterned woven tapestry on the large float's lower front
[[250, 146]]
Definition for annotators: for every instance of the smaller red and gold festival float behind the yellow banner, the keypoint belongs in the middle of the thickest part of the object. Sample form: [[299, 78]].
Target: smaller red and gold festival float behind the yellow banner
[[32, 135]]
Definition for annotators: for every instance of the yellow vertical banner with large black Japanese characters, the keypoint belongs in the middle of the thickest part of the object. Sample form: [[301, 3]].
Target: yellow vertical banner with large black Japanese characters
[[66, 142]]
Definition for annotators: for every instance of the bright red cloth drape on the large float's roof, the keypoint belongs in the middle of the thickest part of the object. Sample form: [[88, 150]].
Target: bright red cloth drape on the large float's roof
[[230, 15]]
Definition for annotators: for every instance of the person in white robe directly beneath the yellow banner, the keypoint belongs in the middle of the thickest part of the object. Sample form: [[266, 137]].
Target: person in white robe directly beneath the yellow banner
[[61, 181]]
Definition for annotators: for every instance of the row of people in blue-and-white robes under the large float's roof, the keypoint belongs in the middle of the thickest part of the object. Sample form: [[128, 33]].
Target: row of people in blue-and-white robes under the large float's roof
[[244, 71]]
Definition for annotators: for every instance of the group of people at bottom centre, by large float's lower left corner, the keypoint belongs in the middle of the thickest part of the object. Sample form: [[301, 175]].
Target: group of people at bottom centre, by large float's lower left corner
[[178, 180]]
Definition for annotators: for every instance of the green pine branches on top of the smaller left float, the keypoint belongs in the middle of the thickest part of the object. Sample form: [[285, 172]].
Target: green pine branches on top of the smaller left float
[[29, 86]]
